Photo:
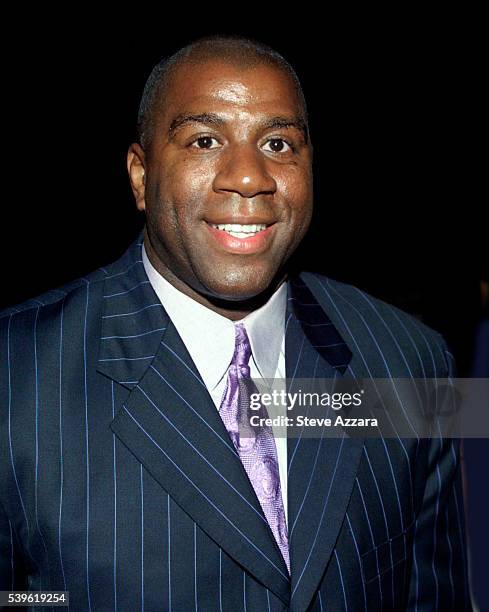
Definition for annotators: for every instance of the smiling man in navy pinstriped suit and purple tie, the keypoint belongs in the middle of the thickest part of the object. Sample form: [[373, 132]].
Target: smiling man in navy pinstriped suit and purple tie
[[123, 477]]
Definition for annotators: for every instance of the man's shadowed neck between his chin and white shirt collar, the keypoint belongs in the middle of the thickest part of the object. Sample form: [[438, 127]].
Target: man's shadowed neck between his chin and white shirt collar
[[233, 310]]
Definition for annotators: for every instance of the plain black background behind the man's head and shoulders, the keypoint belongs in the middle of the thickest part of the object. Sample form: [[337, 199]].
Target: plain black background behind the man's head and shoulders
[[396, 112]]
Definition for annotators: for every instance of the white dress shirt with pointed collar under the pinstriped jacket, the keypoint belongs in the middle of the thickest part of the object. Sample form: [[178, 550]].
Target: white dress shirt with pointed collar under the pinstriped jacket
[[210, 339]]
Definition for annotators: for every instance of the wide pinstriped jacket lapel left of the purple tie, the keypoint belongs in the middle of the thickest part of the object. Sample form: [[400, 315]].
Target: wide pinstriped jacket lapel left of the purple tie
[[170, 423]]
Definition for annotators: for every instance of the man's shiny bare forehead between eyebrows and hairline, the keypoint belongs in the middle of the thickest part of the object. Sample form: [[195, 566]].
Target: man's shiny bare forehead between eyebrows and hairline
[[257, 89]]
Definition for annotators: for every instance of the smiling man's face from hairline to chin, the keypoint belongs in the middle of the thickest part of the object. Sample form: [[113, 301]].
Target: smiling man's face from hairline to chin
[[227, 150]]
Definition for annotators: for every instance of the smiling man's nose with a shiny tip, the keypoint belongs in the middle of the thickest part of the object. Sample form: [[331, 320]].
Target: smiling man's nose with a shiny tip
[[242, 169]]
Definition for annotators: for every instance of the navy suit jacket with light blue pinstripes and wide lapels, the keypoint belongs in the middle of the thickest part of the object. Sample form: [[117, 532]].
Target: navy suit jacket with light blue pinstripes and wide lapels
[[120, 484]]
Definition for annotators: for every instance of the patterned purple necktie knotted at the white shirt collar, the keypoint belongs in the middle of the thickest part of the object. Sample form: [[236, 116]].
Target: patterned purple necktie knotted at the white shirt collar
[[256, 448]]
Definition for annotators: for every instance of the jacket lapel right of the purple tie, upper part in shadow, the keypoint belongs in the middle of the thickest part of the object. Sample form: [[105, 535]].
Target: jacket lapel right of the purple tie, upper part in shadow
[[321, 472]]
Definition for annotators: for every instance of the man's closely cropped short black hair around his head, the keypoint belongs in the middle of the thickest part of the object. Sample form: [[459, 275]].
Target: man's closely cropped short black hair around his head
[[237, 50]]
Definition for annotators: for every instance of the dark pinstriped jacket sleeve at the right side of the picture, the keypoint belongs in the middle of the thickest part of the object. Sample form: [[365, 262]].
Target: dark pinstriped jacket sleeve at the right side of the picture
[[439, 577]]
